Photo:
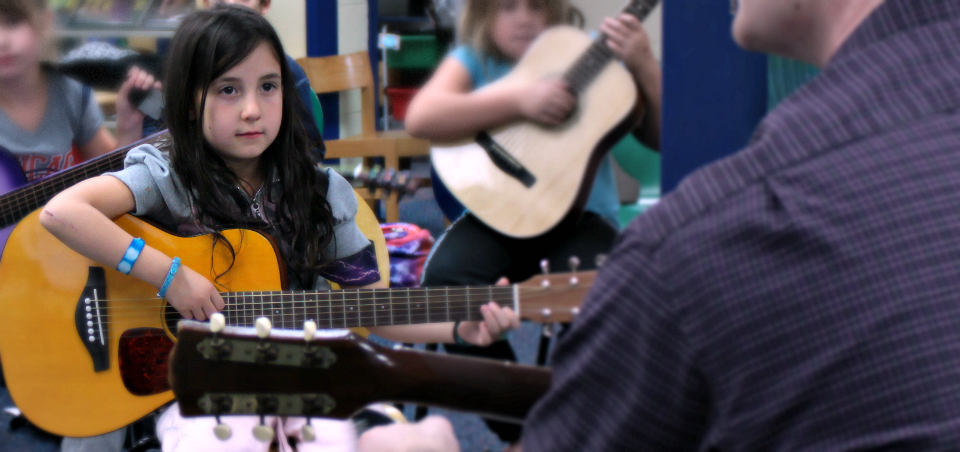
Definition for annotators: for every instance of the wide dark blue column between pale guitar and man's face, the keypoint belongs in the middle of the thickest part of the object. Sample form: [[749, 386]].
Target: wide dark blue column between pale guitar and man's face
[[714, 93]]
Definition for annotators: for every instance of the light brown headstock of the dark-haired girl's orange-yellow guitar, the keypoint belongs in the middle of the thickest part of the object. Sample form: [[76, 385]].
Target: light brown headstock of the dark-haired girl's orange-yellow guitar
[[555, 297]]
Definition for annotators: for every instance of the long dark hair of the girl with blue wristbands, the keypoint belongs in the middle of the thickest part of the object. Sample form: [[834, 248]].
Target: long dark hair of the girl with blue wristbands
[[206, 45]]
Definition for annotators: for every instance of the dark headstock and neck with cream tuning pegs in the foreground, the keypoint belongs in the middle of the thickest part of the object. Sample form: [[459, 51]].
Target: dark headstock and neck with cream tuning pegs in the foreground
[[334, 374]]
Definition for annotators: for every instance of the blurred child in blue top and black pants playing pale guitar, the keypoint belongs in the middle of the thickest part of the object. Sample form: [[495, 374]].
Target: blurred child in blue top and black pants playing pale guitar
[[495, 34]]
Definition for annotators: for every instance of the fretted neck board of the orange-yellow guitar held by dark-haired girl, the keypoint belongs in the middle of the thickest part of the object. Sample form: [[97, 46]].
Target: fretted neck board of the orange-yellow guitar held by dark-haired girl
[[363, 307]]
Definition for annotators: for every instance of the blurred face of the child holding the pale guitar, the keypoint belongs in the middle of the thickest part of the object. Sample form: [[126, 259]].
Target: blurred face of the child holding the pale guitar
[[517, 24]]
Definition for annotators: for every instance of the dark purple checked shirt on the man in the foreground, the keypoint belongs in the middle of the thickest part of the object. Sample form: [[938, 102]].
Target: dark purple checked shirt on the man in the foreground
[[802, 294]]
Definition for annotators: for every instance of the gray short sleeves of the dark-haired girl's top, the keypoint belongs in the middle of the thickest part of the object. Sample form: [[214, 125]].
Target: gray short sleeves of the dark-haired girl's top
[[160, 196]]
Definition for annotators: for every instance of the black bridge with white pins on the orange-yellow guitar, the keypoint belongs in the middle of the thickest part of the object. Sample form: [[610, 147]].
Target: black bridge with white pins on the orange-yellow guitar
[[90, 318]]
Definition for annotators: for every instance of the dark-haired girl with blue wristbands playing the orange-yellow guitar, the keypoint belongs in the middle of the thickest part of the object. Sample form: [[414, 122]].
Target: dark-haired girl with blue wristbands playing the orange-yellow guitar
[[240, 159]]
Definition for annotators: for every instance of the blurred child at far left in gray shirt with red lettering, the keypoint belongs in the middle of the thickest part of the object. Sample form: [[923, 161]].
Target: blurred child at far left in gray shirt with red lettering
[[48, 121]]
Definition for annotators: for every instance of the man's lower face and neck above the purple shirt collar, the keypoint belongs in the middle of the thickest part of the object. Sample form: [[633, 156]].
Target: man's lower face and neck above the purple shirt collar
[[806, 30]]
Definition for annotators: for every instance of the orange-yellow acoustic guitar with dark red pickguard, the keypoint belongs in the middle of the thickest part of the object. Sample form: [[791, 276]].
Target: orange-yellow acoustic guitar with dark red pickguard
[[85, 347]]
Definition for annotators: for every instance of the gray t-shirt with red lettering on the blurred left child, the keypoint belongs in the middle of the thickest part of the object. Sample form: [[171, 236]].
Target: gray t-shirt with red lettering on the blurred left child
[[70, 121]]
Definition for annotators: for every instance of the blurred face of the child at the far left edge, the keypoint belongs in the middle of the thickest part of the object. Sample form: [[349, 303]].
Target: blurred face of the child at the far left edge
[[20, 47]]
